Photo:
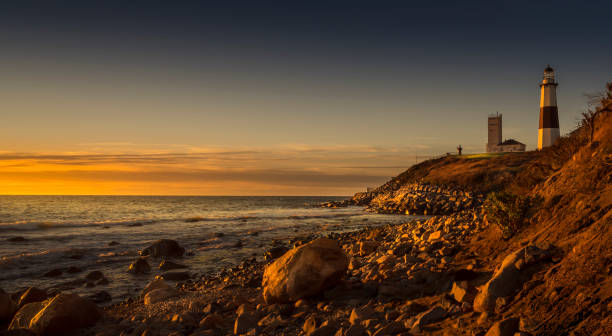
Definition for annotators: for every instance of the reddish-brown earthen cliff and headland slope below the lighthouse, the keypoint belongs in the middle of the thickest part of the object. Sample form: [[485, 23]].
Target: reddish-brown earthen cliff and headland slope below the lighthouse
[[573, 293]]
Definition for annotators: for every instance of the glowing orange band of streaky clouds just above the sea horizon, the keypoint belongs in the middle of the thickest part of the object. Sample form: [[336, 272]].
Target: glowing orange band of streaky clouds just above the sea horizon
[[283, 170]]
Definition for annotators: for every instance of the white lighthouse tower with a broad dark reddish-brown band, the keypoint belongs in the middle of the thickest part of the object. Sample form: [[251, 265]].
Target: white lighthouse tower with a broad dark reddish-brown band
[[548, 131]]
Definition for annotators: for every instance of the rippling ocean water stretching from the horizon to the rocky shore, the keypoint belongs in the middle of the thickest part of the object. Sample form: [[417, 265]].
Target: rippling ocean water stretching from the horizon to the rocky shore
[[217, 232]]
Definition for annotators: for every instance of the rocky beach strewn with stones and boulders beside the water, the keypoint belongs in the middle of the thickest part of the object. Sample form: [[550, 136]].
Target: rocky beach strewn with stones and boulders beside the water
[[397, 279]]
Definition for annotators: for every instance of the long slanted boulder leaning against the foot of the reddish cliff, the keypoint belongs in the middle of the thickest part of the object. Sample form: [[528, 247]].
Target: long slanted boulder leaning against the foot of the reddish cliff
[[508, 278]]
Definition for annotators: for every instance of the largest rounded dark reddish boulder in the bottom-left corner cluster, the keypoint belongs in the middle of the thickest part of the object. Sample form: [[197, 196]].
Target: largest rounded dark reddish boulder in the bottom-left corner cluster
[[63, 314]]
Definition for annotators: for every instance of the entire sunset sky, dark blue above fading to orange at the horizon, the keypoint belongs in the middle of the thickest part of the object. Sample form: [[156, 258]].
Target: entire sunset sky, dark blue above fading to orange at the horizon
[[276, 98]]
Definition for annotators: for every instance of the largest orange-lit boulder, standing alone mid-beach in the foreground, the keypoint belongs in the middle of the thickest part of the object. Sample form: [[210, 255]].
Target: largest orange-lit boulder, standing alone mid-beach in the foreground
[[304, 271]]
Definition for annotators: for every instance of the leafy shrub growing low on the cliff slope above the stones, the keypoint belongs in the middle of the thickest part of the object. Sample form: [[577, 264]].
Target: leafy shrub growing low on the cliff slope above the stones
[[508, 211]]
